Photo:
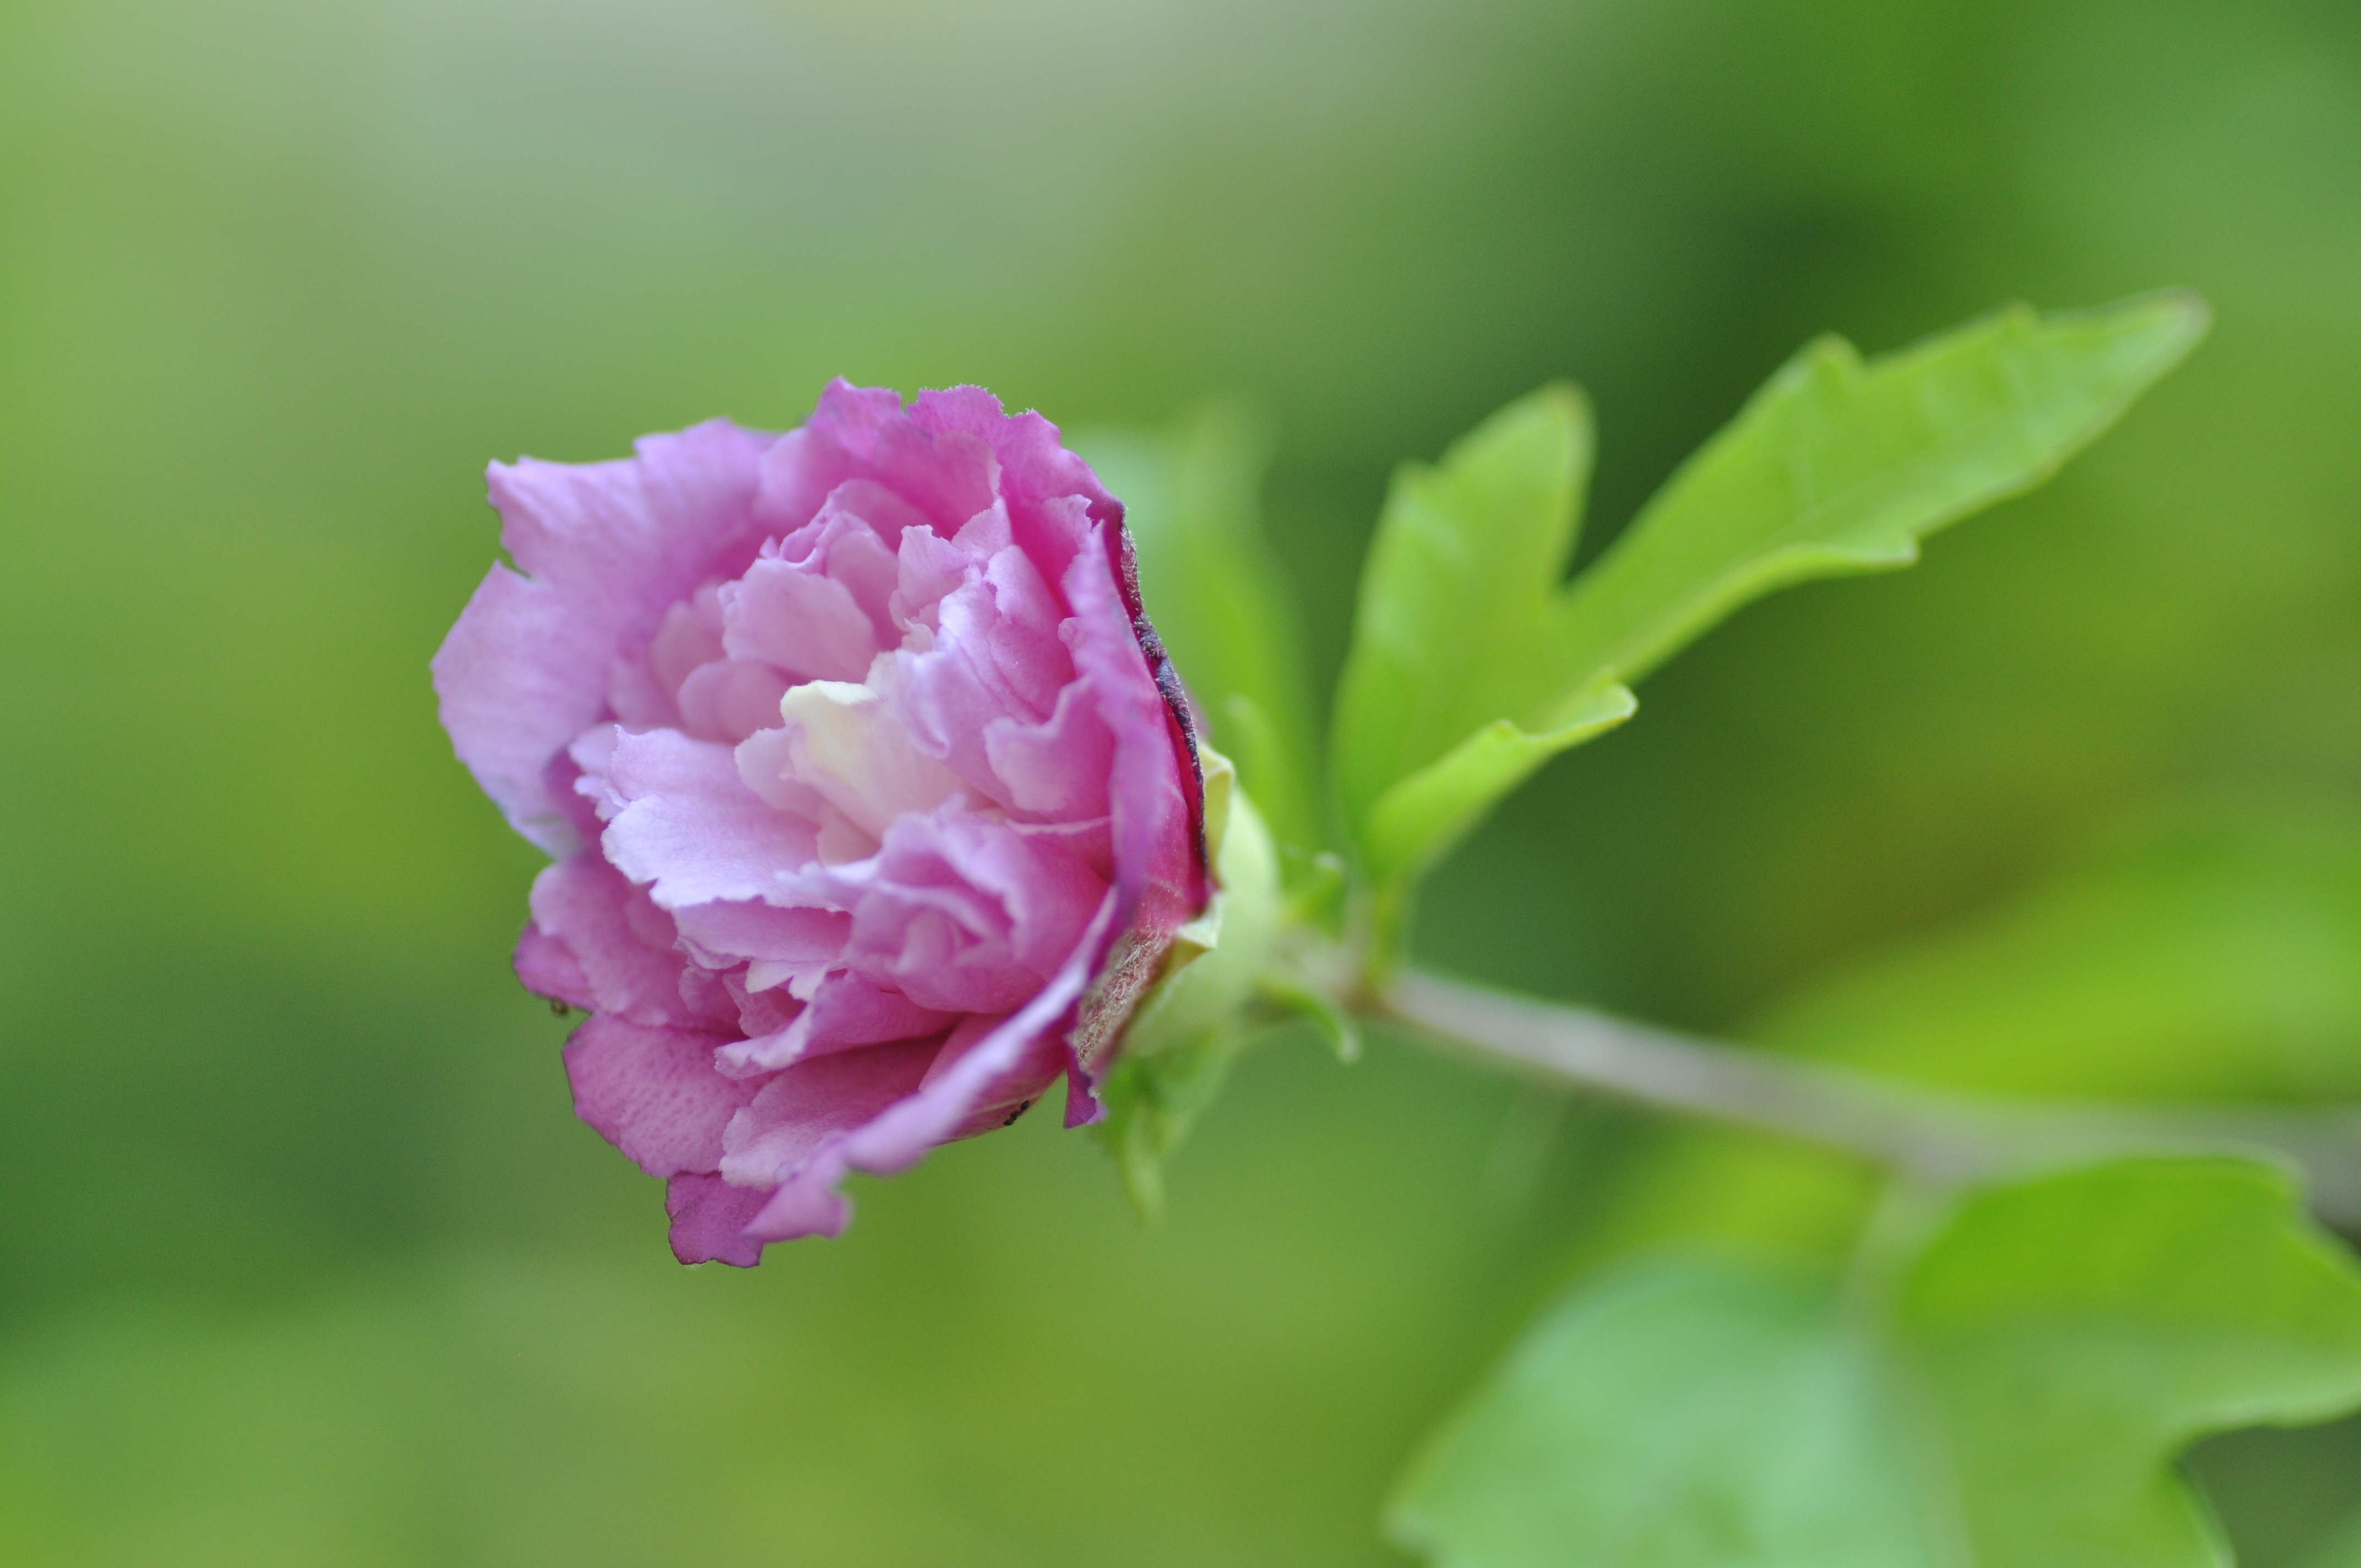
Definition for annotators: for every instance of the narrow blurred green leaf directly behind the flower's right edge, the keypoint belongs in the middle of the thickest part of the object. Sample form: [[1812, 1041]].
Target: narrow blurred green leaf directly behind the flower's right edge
[[1219, 599]]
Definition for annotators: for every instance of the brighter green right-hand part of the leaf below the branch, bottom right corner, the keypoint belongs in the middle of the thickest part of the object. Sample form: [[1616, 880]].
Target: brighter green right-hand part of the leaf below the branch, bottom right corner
[[2081, 1331]]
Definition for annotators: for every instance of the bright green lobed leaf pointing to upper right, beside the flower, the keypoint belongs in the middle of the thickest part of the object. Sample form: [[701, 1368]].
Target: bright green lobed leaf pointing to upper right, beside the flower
[[1472, 665]]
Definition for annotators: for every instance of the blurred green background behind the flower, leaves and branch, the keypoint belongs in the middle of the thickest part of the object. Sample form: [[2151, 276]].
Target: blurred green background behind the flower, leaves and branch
[[303, 1257]]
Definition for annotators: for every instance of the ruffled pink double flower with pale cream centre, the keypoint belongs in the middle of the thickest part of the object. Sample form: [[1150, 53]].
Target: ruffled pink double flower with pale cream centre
[[872, 797]]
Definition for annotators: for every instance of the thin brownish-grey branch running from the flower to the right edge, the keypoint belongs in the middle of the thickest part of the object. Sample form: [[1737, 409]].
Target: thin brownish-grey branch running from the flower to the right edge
[[1932, 1135]]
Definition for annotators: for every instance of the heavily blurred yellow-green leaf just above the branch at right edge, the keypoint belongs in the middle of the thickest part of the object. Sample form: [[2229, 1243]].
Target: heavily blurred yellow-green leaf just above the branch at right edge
[[2206, 958]]
